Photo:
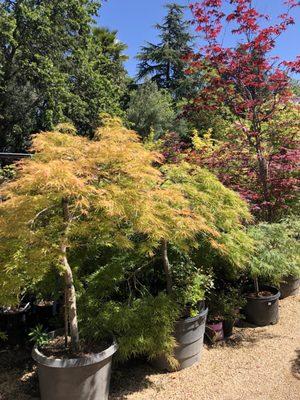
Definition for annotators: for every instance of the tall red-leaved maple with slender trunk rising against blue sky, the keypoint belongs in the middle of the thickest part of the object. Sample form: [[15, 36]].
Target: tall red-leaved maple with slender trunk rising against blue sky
[[245, 78]]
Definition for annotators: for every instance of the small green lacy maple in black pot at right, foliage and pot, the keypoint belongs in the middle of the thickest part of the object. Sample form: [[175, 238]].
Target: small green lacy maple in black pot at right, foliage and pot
[[276, 255]]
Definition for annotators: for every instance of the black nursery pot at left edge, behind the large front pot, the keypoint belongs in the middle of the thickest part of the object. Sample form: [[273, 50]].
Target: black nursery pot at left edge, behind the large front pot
[[14, 323]]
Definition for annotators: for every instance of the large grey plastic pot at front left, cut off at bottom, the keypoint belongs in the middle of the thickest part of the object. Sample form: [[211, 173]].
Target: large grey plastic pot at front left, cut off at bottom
[[77, 379]]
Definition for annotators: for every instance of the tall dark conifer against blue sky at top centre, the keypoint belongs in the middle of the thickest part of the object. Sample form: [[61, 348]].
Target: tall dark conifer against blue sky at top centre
[[163, 62]]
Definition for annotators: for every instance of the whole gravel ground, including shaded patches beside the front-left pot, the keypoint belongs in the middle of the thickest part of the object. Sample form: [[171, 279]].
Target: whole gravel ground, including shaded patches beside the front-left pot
[[257, 364]]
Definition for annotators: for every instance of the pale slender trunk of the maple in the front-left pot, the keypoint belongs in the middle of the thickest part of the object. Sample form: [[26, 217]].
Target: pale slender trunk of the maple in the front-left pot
[[71, 305]]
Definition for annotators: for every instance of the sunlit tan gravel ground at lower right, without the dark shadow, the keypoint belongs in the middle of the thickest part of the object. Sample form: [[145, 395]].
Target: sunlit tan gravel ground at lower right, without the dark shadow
[[259, 364]]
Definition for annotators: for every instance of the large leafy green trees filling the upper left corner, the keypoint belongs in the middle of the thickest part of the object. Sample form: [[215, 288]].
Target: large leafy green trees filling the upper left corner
[[54, 67]]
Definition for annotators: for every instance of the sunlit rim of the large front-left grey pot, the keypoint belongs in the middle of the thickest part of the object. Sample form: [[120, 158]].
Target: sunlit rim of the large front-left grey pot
[[95, 358]]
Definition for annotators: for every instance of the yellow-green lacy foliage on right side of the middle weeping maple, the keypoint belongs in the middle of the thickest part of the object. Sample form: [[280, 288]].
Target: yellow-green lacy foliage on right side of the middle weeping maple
[[222, 209]]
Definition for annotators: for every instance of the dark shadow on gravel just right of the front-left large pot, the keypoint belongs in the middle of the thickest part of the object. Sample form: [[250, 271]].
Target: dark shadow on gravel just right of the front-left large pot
[[129, 378]]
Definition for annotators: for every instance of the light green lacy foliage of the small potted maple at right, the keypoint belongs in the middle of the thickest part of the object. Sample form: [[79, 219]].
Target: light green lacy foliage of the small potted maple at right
[[277, 253]]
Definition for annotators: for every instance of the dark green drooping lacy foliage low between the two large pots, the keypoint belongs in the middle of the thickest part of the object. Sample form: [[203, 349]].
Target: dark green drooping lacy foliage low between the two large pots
[[142, 327]]
